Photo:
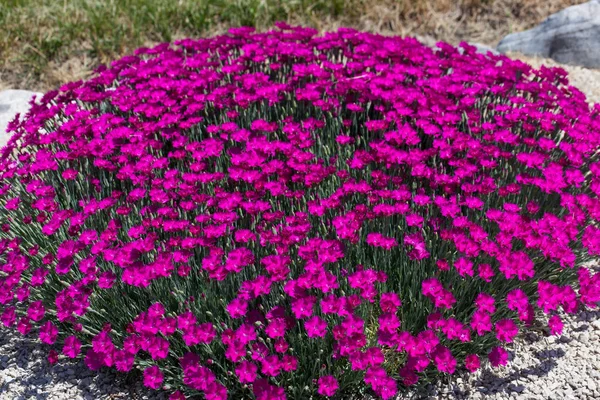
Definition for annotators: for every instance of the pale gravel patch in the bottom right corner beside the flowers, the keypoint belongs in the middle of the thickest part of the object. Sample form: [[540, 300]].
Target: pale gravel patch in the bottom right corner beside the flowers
[[540, 368]]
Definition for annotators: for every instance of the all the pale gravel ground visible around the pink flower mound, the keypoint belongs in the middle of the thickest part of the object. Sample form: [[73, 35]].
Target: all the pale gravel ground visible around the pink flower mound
[[541, 367]]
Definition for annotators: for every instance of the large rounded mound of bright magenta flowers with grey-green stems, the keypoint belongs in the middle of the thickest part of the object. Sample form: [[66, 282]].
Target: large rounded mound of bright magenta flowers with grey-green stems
[[286, 215]]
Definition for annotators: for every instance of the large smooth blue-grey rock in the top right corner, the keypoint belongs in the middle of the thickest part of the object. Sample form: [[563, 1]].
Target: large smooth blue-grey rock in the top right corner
[[571, 36]]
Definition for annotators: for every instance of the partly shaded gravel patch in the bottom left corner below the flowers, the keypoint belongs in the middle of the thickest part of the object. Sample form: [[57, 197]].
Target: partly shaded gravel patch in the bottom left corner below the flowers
[[66, 380]]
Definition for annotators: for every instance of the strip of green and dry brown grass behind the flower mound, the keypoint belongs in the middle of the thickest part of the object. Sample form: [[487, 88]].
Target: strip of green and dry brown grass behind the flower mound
[[45, 43]]
